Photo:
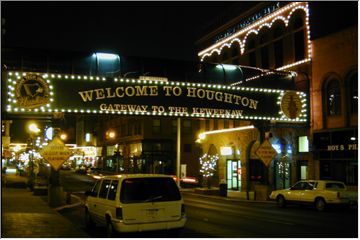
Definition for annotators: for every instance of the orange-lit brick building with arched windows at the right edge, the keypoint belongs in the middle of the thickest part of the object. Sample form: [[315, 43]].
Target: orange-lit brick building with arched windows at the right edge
[[334, 104]]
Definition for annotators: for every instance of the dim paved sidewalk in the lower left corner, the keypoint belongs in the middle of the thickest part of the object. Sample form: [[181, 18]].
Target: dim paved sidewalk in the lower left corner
[[26, 215]]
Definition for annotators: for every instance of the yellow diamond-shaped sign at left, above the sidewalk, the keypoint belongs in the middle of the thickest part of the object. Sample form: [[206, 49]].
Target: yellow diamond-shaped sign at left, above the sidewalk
[[56, 153]]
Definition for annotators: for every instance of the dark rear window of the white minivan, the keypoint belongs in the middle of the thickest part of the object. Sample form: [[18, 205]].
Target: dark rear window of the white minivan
[[156, 189]]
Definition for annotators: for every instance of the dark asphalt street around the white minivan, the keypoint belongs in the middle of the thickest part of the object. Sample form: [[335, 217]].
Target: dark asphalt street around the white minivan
[[221, 217]]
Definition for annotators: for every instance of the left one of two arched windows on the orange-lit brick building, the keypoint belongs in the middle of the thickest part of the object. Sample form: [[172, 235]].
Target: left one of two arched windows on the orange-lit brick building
[[333, 97]]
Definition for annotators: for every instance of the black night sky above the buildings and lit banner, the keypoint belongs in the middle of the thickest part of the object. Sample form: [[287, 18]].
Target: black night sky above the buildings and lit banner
[[160, 29]]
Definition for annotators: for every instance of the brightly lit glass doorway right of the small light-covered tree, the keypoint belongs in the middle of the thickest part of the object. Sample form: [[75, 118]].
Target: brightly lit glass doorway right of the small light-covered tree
[[233, 174]]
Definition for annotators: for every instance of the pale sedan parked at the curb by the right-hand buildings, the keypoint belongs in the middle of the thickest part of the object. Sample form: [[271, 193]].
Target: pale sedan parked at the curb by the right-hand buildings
[[320, 193]]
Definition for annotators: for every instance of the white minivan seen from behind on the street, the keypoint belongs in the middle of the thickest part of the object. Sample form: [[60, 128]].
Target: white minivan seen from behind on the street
[[135, 203]]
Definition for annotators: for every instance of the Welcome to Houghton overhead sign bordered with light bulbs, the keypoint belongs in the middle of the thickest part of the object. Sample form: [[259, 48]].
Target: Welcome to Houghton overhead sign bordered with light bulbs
[[42, 93]]
